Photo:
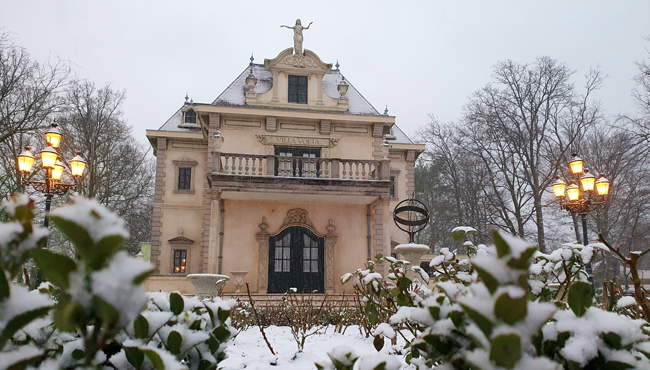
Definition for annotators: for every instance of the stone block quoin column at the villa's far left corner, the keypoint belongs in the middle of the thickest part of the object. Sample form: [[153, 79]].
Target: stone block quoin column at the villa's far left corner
[[156, 229]]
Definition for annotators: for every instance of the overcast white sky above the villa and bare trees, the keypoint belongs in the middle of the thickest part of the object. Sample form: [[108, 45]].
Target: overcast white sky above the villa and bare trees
[[417, 57]]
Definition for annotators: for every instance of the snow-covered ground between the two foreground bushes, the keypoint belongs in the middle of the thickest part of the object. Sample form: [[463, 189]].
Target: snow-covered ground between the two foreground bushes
[[248, 350]]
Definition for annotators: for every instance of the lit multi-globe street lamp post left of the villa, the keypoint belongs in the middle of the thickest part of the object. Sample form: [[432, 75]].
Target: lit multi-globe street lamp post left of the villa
[[52, 163]]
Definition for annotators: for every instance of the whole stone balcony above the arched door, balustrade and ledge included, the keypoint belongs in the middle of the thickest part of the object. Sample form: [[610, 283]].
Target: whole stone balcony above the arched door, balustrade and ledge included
[[300, 175]]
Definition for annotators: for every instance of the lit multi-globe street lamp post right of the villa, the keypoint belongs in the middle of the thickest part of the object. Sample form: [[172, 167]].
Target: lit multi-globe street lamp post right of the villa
[[581, 201]]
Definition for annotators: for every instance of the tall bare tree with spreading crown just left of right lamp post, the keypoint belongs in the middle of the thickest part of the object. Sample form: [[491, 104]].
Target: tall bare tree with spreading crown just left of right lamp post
[[533, 115]]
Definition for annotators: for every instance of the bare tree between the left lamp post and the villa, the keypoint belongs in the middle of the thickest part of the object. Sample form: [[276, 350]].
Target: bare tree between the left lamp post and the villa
[[119, 171]]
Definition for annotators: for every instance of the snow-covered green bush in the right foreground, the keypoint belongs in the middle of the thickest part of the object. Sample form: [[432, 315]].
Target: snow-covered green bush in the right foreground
[[488, 317]]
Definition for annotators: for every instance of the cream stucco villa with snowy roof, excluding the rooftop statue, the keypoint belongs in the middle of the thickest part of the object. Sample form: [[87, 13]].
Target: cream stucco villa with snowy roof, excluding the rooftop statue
[[289, 153]]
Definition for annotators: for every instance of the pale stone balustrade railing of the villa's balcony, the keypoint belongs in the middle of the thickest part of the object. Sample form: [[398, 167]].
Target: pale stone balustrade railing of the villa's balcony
[[301, 167]]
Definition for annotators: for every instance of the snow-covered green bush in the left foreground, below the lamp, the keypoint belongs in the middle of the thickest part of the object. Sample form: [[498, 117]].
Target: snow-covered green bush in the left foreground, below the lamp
[[97, 319]]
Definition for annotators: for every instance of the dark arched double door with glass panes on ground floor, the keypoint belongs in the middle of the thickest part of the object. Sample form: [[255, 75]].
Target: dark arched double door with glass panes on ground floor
[[296, 260]]
